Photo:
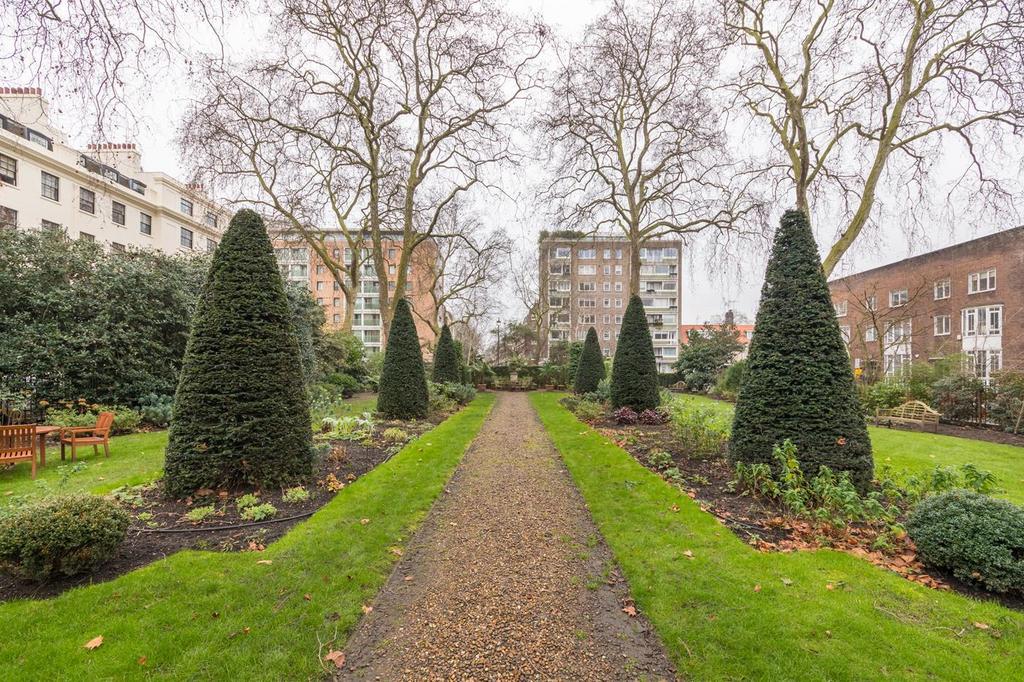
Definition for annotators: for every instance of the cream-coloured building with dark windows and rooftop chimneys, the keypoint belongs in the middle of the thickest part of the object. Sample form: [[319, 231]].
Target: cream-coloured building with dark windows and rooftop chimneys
[[101, 194]]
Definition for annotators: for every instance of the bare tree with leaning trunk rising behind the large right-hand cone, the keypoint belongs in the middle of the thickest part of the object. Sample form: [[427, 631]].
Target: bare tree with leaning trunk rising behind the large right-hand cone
[[861, 98]]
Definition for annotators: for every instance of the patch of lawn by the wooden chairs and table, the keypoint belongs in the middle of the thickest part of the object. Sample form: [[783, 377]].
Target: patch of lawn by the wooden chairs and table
[[135, 459]]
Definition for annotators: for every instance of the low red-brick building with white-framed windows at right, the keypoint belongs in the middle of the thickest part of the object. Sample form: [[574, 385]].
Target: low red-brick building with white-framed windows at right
[[965, 300]]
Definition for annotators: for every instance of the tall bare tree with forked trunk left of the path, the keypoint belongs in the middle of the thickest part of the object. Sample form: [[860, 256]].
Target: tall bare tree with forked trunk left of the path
[[425, 86]]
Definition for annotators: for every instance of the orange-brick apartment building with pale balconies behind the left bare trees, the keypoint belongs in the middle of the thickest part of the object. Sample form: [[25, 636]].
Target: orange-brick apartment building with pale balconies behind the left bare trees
[[301, 264]]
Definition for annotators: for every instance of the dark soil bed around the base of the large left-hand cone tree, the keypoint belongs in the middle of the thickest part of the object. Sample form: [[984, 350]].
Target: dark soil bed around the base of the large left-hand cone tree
[[149, 539]]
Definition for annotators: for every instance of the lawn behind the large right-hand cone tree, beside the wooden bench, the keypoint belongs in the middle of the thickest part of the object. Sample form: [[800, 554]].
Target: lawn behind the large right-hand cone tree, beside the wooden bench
[[909, 452]]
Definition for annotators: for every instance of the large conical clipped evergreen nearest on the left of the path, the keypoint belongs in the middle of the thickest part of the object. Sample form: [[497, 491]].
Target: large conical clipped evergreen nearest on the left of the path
[[241, 410]]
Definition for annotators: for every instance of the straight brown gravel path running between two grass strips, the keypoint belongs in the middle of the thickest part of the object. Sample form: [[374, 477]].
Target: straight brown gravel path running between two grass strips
[[507, 579]]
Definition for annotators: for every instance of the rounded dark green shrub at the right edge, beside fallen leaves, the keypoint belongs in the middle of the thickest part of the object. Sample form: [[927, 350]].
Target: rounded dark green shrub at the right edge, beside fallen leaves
[[978, 538]]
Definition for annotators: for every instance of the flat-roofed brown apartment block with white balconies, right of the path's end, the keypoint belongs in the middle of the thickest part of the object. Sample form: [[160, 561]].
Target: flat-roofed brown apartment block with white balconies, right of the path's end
[[585, 282]]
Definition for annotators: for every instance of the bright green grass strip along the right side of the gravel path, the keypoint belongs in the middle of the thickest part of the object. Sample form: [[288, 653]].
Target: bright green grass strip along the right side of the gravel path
[[718, 625]]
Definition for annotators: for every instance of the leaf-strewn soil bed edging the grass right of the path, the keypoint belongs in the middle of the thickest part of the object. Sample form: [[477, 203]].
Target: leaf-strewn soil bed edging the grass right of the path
[[763, 524]]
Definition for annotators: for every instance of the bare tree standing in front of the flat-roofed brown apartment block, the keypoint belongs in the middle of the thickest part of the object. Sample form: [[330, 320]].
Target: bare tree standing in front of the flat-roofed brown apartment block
[[637, 142]]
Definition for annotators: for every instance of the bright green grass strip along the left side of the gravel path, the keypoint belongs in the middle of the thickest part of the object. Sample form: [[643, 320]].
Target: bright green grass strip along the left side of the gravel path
[[244, 616]]
